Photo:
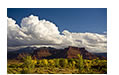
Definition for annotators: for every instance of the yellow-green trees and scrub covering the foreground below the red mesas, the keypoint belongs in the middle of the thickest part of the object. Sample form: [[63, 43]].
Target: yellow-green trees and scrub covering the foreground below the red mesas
[[28, 65]]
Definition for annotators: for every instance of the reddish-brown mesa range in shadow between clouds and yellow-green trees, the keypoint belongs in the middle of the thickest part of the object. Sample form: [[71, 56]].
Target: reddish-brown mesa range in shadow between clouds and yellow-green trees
[[50, 53]]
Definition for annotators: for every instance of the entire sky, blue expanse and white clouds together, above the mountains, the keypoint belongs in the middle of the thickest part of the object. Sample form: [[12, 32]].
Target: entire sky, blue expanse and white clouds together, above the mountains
[[58, 28]]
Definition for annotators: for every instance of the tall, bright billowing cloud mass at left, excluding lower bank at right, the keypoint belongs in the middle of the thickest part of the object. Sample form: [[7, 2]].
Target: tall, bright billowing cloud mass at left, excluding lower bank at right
[[32, 32]]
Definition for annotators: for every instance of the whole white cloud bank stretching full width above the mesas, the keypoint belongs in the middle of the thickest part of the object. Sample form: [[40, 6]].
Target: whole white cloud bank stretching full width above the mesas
[[33, 31]]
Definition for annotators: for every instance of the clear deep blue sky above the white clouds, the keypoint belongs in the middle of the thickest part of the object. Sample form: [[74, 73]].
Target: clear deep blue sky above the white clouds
[[72, 19]]
